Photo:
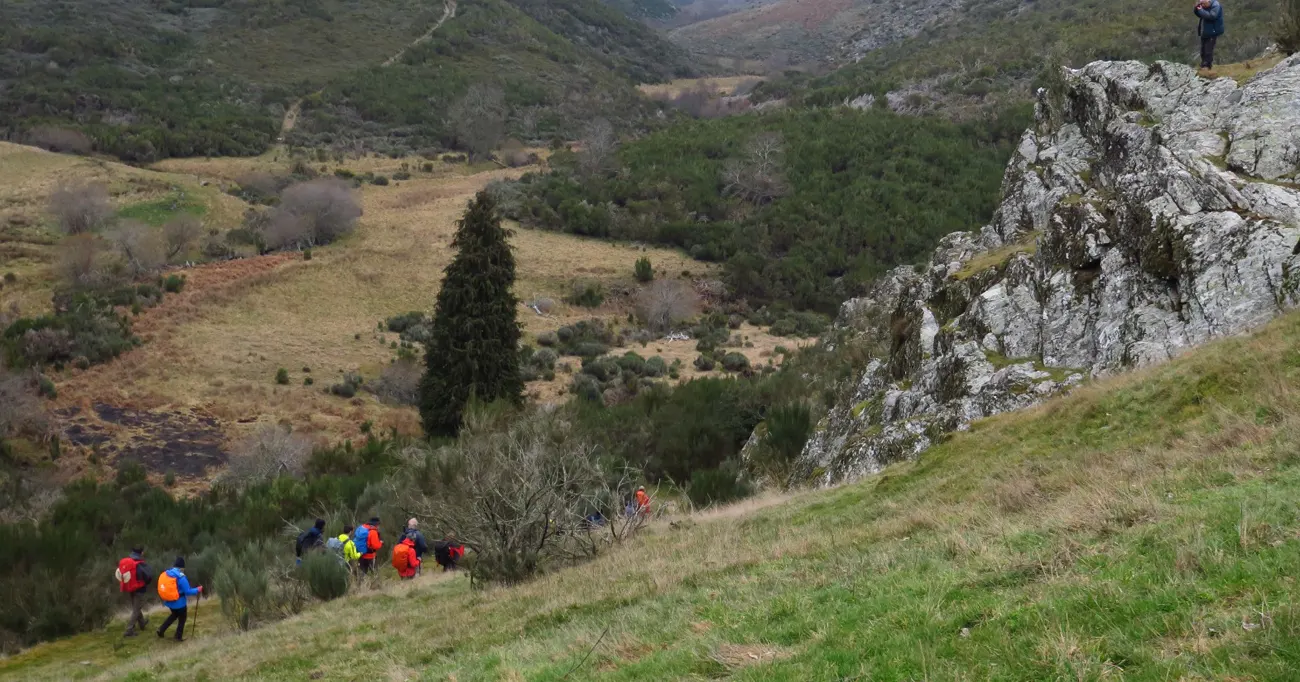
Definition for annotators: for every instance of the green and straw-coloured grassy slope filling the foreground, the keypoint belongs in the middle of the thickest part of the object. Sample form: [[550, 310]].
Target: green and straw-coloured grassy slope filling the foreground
[[1145, 528]]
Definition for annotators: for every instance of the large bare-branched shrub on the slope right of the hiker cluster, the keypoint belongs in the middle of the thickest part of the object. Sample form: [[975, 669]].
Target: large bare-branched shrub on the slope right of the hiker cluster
[[519, 496]]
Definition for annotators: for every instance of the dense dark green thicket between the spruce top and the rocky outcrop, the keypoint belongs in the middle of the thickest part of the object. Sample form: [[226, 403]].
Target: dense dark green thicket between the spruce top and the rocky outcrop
[[804, 207]]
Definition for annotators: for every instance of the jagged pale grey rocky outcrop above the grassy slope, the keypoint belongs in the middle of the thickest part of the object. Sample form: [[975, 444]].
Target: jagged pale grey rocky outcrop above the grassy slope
[[1149, 211]]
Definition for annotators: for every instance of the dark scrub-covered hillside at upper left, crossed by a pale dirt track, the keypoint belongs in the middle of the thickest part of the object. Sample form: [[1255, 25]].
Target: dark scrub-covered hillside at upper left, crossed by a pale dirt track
[[214, 77]]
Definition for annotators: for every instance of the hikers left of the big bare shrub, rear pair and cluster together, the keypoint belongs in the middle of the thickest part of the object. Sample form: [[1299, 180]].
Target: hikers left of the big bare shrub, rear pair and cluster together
[[356, 548]]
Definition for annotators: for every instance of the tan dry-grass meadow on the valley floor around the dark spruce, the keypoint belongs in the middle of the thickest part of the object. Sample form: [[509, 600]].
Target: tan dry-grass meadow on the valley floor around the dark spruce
[[216, 347]]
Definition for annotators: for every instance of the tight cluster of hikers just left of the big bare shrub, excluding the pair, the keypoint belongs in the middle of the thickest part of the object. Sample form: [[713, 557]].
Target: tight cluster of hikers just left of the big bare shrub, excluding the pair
[[358, 546]]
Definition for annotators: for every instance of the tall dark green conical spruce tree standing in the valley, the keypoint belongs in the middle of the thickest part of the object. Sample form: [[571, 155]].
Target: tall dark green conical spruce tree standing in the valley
[[474, 345]]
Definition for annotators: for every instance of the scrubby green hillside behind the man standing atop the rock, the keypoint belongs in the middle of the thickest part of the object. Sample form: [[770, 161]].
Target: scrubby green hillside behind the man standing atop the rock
[[990, 54]]
